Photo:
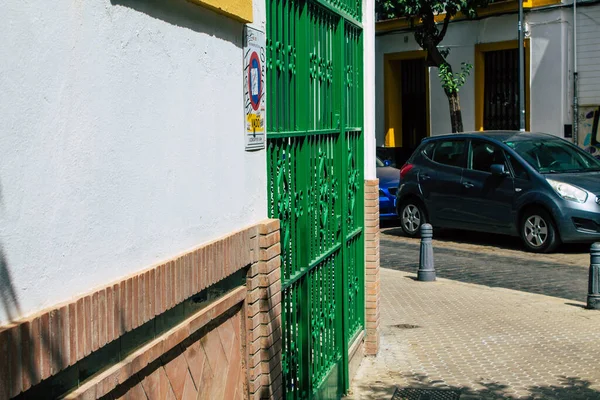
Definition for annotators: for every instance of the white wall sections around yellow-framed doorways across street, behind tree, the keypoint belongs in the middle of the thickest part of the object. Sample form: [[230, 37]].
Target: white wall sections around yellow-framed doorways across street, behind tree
[[549, 77]]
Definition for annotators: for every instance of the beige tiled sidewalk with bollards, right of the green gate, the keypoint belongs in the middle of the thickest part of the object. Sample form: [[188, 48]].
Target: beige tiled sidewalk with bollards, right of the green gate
[[487, 343]]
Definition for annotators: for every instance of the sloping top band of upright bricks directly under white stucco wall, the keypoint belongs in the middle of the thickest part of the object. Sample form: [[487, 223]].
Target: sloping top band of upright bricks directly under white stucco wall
[[61, 336]]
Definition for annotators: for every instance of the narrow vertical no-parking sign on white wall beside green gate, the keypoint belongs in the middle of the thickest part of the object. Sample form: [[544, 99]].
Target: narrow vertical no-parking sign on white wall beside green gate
[[254, 89]]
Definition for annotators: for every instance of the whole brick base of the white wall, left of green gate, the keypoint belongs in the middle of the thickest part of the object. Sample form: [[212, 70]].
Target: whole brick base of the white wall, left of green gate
[[229, 348]]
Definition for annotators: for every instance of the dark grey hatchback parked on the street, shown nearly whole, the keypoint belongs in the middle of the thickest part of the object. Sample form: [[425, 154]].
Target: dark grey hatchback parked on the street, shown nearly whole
[[533, 185]]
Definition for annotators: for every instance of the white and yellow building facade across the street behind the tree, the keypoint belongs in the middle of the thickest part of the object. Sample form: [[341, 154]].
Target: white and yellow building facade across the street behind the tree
[[489, 98]]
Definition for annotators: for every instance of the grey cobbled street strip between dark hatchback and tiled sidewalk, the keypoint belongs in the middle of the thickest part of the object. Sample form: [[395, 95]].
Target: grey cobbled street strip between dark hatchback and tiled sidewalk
[[564, 274]]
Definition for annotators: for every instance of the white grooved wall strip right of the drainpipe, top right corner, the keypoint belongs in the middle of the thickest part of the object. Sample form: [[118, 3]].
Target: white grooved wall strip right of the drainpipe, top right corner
[[588, 54]]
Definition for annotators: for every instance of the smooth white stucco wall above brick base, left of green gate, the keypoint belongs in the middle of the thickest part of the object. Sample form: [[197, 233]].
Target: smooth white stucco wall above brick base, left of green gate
[[122, 142]]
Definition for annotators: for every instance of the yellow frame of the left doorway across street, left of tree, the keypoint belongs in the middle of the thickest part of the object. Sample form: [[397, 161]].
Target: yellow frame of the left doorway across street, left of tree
[[392, 84]]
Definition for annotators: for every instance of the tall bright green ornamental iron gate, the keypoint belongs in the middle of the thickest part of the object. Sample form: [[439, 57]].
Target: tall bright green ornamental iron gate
[[315, 167]]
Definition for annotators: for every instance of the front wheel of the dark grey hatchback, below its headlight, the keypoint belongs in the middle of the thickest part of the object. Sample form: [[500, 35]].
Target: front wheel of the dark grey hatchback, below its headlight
[[538, 231]]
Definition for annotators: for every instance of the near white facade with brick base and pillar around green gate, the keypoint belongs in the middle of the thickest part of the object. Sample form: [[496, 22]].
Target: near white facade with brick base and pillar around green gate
[[140, 253]]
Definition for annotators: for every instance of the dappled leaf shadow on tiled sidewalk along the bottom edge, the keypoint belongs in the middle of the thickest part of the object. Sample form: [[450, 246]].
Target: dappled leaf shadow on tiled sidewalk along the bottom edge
[[567, 388]]
